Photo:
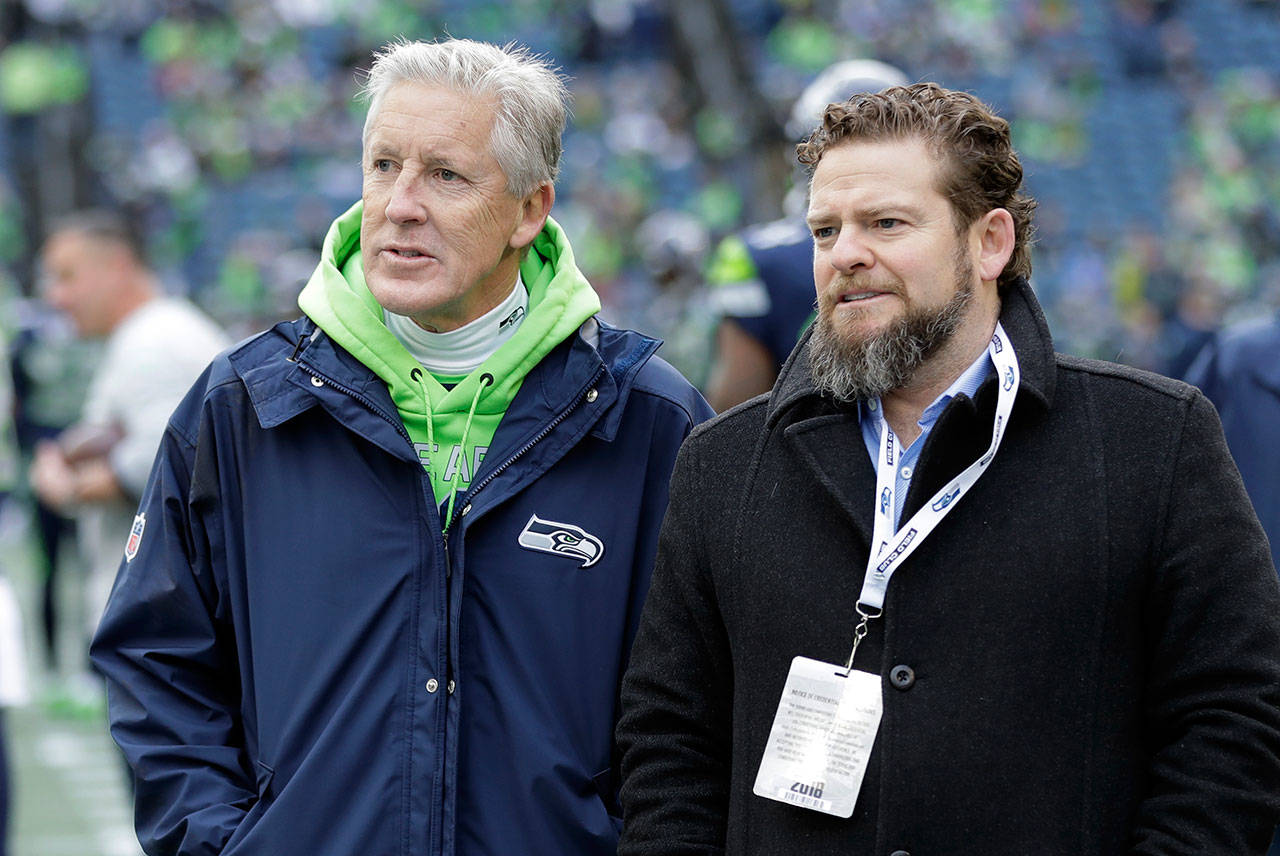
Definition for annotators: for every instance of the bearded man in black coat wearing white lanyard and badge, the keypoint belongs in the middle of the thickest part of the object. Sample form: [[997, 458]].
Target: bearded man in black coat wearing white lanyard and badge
[[943, 590]]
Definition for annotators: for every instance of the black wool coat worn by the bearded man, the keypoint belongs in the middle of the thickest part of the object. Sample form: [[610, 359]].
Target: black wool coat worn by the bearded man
[[1092, 634]]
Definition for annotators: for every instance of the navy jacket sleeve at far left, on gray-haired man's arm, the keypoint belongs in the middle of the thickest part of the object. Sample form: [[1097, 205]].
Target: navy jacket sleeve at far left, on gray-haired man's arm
[[172, 674]]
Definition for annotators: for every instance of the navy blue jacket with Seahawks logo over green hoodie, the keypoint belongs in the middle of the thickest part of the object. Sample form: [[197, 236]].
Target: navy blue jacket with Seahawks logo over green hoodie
[[300, 662]]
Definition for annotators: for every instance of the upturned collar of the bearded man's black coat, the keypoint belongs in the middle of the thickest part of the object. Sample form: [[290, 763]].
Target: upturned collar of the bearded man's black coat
[[1022, 318]]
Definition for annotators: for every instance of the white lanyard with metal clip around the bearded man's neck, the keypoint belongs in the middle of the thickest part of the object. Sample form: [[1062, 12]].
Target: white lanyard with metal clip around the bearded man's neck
[[892, 548]]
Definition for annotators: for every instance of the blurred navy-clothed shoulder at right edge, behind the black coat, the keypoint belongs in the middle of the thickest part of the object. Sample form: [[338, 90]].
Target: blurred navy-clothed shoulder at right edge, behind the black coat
[[1240, 372]]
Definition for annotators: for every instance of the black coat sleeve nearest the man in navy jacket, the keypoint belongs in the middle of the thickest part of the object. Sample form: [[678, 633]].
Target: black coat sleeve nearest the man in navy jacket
[[675, 733]]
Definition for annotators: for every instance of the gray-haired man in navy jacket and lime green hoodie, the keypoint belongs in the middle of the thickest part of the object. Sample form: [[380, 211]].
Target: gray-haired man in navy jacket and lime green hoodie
[[387, 571]]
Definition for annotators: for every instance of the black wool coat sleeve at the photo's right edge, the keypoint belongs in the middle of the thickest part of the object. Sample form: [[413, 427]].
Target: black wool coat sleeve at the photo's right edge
[[1214, 662]]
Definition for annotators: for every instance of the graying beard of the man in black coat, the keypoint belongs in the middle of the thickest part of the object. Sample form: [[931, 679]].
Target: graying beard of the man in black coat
[[853, 370]]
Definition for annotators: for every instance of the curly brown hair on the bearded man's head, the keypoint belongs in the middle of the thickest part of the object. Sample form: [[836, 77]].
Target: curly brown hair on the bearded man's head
[[980, 172]]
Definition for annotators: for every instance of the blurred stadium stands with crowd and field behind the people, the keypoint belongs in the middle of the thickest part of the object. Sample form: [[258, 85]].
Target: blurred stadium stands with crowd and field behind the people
[[1150, 132]]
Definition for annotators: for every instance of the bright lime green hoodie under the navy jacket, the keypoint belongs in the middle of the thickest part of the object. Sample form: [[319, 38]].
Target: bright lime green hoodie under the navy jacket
[[450, 428]]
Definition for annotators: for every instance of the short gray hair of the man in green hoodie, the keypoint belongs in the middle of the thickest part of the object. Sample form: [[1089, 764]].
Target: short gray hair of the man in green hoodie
[[533, 100]]
